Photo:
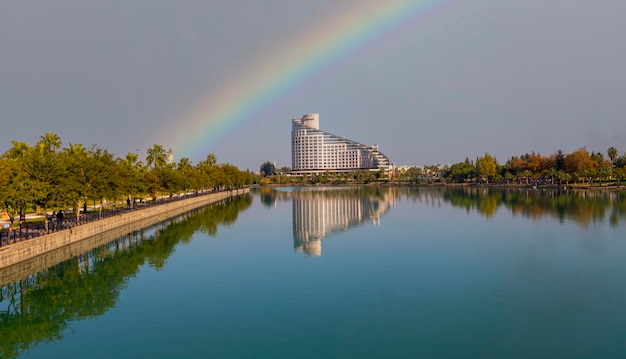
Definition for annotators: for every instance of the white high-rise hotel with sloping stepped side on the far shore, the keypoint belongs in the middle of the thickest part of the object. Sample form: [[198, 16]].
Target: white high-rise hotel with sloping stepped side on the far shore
[[316, 151]]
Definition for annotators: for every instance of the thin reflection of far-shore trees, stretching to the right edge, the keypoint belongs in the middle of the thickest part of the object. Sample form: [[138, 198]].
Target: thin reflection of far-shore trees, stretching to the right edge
[[581, 207]]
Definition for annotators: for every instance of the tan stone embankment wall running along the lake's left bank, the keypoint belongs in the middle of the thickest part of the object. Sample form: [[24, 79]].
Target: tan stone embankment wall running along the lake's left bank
[[31, 254]]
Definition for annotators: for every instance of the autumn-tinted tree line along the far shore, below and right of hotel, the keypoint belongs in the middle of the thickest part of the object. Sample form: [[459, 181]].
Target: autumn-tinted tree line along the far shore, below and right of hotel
[[559, 168]]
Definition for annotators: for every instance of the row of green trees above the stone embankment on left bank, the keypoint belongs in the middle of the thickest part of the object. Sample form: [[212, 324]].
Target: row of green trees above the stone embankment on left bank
[[49, 176]]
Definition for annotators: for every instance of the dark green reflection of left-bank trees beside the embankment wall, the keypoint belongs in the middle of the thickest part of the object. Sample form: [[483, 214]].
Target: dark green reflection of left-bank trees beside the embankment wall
[[41, 307]]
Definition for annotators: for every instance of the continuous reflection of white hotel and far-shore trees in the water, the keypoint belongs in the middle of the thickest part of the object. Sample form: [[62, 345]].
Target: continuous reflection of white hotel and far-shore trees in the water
[[320, 212]]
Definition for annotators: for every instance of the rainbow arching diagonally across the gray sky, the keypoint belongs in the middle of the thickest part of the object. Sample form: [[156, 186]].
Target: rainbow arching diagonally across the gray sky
[[282, 72]]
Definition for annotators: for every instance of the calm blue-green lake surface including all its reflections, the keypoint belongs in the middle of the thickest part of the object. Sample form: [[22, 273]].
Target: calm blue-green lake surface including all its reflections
[[342, 273]]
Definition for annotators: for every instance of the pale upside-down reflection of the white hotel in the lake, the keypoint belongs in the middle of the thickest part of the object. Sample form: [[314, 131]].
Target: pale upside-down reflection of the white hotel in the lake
[[317, 215]]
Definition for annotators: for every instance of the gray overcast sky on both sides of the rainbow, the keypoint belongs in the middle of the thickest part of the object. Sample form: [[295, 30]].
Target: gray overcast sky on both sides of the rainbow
[[506, 77]]
